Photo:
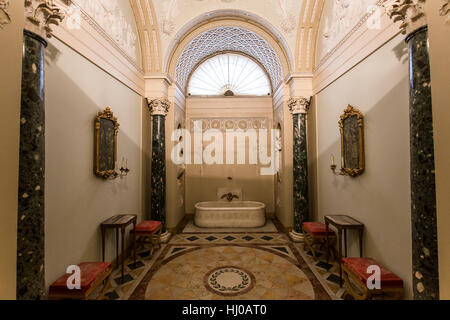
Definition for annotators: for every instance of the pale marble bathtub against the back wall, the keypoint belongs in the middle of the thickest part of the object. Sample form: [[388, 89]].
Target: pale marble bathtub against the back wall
[[236, 214]]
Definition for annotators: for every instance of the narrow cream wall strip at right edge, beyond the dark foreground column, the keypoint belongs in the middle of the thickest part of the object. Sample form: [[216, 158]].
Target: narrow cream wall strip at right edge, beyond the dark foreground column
[[439, 54]]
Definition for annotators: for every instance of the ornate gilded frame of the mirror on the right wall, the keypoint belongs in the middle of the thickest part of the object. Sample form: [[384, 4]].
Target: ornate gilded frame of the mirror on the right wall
[[348, 113]]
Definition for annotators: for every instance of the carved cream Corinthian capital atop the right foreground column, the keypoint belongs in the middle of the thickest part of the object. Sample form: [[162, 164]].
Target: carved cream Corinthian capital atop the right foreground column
[[410, 12]]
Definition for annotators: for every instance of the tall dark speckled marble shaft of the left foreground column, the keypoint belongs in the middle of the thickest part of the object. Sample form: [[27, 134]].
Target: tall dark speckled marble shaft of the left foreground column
[[31, 214]]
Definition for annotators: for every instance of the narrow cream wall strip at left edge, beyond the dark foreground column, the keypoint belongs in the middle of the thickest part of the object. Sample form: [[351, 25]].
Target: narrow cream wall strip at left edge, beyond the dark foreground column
[[10, 91]]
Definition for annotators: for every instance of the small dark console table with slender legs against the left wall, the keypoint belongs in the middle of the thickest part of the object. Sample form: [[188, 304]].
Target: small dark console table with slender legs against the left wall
[[119, 222]]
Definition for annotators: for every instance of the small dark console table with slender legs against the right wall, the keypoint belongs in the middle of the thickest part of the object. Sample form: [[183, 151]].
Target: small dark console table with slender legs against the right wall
[[343, 223]]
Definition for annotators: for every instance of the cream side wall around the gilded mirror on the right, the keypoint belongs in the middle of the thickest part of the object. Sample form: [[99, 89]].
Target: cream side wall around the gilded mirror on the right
[[380, 198]]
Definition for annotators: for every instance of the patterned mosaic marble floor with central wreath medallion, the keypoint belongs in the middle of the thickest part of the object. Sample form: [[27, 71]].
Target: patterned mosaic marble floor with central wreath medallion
[[232, 266]]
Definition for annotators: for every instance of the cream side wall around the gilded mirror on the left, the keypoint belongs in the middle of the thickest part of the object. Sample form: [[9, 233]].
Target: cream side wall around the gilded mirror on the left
[[76, 200]]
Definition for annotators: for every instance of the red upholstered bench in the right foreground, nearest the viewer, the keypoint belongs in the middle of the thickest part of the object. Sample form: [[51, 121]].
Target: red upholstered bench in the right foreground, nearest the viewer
[[356, 276]]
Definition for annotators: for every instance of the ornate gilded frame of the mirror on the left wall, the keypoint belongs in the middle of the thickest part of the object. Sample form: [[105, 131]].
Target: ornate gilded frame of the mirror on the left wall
[[105, 115]]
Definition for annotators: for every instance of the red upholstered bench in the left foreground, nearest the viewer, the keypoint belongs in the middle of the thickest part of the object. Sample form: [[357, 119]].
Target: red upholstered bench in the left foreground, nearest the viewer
[[92, 275]]
